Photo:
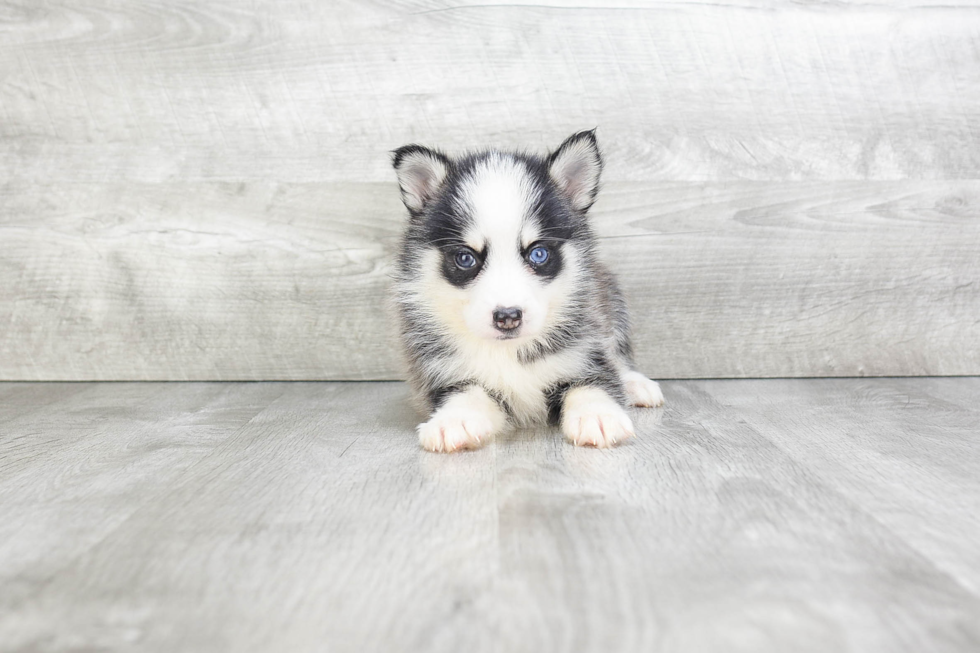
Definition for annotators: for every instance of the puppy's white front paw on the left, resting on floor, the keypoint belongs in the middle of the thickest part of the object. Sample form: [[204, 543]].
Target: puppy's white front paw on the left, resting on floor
[[466, 419]]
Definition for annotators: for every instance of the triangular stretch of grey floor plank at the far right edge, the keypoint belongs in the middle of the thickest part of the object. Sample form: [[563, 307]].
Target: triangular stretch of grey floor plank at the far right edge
[[863, 431]]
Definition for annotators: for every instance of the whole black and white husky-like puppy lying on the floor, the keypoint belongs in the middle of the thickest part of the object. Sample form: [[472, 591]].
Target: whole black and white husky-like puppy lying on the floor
[[506, 314]]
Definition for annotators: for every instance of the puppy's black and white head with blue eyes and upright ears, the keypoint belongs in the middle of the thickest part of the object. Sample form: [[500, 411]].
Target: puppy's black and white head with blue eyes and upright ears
[[497, 239]]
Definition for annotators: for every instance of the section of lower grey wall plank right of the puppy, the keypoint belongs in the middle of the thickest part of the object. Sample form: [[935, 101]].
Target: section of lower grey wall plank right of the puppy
[[807, 279]]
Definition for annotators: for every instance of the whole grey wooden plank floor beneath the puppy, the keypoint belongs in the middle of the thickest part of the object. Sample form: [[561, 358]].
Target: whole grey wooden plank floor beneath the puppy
[[777, 515]]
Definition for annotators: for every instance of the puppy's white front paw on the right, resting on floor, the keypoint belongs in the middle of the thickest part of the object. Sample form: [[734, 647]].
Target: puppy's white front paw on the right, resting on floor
[[590, 417]]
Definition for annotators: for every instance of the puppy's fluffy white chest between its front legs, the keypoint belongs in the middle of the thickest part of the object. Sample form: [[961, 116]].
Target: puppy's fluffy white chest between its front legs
[[522, 386]]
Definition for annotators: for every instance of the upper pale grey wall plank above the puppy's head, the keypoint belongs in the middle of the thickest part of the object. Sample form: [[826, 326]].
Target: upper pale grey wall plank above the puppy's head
[[301, 91]]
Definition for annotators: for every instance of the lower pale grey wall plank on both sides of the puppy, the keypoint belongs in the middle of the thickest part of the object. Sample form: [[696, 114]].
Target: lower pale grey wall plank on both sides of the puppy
[[288, 281]]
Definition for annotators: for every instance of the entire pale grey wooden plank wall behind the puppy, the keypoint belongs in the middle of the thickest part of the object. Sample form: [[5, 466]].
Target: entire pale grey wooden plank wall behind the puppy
[[200, 189]]
